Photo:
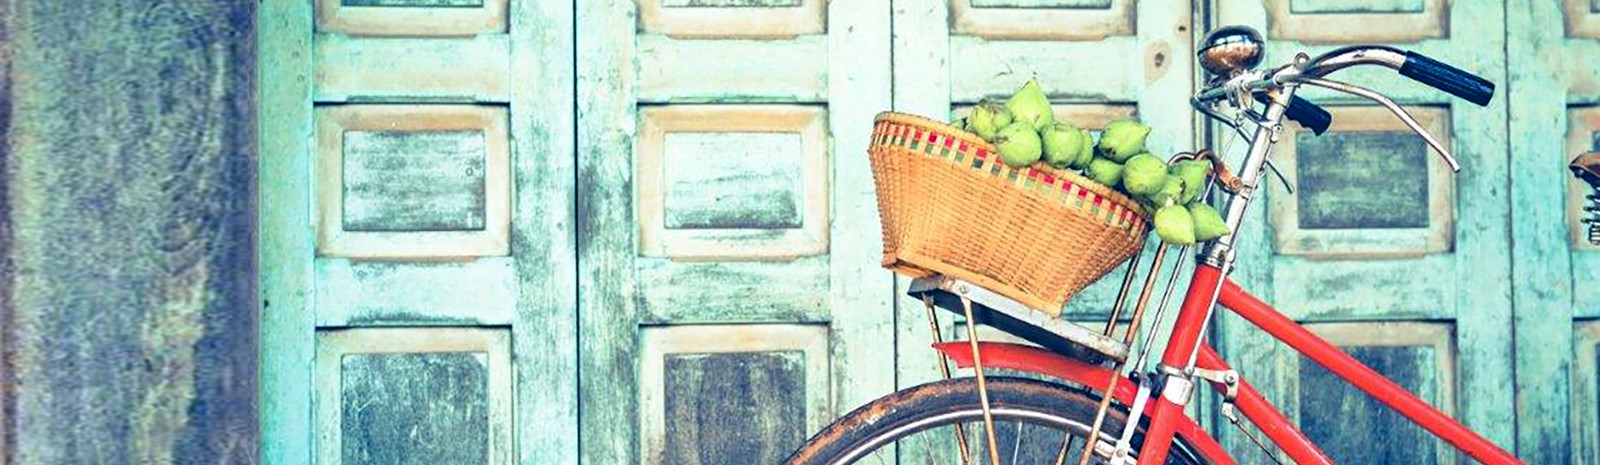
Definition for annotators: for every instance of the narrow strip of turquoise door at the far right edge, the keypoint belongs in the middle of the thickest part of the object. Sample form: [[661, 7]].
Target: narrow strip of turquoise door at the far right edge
[[1554, 95]]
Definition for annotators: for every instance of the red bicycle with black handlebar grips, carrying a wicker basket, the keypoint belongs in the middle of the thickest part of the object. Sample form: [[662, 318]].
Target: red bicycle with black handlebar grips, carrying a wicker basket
[[1105, 416]]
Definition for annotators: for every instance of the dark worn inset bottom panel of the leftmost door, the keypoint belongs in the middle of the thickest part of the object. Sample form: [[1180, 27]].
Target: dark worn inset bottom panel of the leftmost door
[[415, 408]]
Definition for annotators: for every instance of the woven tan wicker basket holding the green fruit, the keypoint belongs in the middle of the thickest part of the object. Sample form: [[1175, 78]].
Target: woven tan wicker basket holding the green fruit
[[950, 207]]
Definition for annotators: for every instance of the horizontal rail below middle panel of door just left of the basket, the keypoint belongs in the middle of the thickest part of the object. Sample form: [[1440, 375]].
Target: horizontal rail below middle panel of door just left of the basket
[[673, 293]]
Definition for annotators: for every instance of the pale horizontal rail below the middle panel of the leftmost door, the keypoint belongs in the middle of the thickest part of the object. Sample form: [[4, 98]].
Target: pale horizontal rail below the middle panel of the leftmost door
[[479, 293]]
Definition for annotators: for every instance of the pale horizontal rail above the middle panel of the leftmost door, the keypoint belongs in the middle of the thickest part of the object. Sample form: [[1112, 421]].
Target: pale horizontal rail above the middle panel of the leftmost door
[[412, 70]]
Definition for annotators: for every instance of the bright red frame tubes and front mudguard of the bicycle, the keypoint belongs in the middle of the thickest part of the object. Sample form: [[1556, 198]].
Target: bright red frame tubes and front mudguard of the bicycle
[[1167, 415]]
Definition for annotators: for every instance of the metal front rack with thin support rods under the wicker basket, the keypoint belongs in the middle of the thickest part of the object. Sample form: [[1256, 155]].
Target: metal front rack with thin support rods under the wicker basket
[[1105, 348]]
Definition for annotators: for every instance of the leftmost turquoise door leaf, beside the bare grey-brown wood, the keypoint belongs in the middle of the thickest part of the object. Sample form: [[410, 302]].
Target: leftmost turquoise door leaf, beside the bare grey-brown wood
[[417, 232]]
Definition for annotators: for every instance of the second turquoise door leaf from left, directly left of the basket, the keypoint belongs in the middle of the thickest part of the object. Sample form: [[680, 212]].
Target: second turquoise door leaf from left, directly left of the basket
[[730, 295]]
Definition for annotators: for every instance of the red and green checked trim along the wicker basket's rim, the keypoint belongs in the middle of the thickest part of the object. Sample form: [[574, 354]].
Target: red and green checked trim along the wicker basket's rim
[[978, 157]]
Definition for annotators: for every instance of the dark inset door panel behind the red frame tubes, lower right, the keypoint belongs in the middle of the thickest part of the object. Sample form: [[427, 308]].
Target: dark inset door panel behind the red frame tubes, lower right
[[1356, 429]]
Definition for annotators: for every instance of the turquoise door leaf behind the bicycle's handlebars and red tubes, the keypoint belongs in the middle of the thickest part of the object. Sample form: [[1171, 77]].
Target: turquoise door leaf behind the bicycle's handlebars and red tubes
[[1382, 250]]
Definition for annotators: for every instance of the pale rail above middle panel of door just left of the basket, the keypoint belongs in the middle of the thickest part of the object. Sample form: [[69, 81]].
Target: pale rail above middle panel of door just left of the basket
[[732, 71]]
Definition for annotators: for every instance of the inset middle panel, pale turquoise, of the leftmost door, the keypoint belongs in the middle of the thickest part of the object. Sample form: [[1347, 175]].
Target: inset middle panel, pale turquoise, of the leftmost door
[[414, 181]]
